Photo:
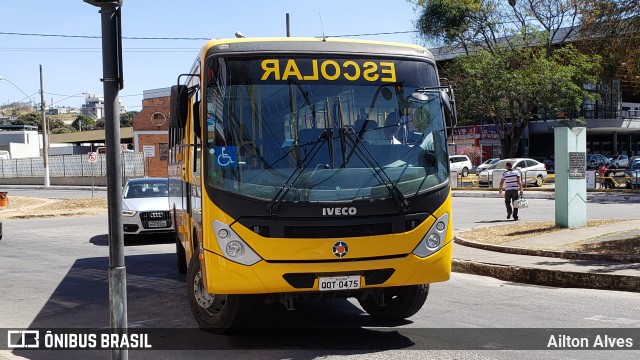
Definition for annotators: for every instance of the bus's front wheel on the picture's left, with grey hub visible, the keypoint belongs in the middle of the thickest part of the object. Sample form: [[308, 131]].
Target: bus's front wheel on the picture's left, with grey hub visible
[[215, 312]]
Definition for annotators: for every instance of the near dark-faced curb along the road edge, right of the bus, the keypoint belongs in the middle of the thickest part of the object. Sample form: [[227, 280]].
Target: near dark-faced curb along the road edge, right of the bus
[[547, 277]]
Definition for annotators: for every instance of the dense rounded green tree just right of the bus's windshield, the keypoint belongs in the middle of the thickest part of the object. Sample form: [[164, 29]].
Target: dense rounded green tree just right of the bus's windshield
[[510, 85]]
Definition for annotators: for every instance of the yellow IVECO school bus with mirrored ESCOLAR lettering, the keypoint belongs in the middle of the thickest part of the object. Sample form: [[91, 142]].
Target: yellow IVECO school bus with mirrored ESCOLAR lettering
[[307, 168]]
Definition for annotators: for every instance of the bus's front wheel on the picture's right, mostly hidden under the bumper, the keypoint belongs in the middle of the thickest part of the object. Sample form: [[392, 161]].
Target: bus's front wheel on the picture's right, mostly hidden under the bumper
[[399, 302]]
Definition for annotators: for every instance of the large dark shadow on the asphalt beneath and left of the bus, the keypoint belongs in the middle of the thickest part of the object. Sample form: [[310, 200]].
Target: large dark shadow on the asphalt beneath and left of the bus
[[157, 304]]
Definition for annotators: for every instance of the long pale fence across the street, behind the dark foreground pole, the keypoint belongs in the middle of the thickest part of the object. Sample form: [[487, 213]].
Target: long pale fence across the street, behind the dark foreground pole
[[70, 166]]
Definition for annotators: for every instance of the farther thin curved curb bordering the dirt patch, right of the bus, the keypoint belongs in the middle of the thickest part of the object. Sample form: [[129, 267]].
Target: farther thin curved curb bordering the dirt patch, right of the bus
[[572, 255]]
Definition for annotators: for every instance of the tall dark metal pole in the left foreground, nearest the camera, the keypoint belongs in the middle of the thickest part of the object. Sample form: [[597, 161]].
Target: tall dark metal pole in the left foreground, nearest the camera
[[112, 80]]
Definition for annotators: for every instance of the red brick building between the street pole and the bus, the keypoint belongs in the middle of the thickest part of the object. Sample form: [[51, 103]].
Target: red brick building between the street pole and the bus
[[151, 129]]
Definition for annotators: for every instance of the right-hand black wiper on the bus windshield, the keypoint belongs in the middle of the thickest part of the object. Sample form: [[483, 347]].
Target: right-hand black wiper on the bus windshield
[[365, 155]]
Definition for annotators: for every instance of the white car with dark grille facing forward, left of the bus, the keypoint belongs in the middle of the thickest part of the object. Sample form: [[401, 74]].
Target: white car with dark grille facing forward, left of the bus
[[145, 207]]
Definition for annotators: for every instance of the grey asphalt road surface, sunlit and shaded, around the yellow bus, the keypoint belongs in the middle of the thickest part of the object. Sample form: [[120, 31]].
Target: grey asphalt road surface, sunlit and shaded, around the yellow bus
[[54, 275]]
